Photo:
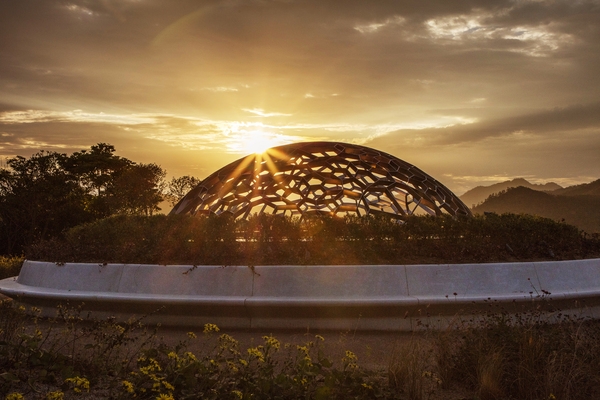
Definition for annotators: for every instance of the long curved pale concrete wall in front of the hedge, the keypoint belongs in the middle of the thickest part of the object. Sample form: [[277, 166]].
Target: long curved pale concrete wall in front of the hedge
[[371, 297]]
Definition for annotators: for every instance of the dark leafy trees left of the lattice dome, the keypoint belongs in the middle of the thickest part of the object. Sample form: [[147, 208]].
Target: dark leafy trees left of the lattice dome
[[42, 196]]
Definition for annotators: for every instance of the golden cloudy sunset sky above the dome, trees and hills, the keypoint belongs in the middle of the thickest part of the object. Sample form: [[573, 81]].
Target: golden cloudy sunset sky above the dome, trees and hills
[[473, 92]]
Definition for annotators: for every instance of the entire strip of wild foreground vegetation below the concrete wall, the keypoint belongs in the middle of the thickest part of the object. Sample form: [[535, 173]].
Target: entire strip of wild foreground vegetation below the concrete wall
[[494, 357]]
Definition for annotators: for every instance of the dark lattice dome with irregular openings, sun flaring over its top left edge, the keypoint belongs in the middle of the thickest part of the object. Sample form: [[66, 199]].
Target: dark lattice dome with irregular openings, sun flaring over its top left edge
[[326, 178]]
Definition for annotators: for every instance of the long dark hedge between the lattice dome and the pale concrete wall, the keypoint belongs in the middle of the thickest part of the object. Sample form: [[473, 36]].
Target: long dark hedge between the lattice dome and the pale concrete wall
[[275, 240]]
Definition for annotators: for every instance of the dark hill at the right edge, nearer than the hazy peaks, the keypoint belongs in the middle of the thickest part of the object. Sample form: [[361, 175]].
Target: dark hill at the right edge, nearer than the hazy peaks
[[582, 211]]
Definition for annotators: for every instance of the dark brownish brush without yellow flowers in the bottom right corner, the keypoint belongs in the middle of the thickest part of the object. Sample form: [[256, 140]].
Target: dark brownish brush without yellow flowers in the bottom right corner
[[523, 356]]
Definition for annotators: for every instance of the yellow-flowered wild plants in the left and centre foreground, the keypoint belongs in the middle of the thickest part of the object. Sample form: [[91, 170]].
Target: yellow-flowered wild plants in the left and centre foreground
[[45, 358]]
